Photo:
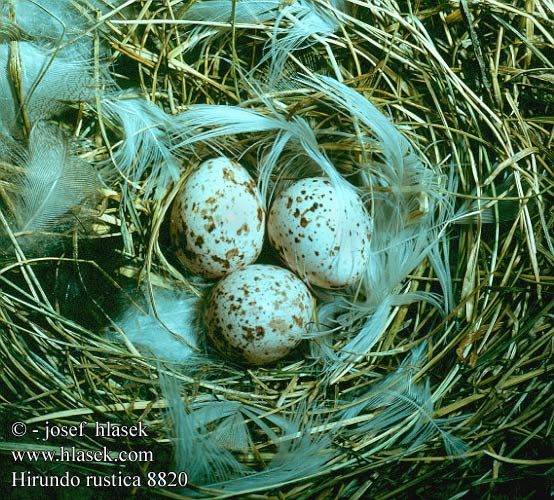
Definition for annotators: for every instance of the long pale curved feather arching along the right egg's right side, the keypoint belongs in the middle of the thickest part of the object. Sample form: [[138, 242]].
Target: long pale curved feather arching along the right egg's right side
[[399, 242]]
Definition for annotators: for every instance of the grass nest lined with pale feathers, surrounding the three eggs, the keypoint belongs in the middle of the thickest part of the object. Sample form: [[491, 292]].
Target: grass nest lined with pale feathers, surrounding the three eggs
[[428, 379]]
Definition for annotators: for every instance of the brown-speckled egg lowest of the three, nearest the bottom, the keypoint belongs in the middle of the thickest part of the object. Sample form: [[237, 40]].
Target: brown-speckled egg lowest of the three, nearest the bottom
[[258, 314]]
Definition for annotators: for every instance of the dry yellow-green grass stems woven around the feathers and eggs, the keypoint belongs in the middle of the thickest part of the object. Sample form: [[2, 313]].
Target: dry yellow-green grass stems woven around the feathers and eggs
[[487, 360]]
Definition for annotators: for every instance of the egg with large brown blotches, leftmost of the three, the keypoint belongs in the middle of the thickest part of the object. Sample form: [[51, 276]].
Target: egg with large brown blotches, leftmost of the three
[[217, 219]]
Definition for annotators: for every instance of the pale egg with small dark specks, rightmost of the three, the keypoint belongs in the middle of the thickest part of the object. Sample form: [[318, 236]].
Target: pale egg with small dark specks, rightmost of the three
[[321, 232]]
